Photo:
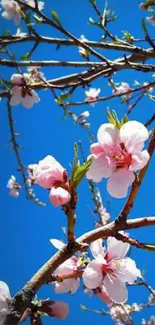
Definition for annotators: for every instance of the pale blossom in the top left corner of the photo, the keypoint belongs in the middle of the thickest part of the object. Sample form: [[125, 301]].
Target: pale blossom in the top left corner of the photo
[[11, 10]]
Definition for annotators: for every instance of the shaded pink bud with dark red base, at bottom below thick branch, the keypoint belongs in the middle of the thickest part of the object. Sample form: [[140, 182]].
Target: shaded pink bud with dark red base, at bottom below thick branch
[[57, 309]]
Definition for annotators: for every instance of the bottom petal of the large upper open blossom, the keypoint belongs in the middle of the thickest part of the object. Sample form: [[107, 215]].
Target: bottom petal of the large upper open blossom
[[119, 182]]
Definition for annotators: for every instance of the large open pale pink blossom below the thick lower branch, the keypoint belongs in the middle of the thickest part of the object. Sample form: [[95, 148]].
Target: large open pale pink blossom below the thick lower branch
[[110, 270]]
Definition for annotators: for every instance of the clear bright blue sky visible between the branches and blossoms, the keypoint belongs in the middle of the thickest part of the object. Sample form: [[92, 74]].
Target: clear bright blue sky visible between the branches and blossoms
[[25, 229]]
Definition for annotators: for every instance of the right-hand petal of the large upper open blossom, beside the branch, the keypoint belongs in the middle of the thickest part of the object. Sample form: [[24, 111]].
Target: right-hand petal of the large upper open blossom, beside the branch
[[139, 160]]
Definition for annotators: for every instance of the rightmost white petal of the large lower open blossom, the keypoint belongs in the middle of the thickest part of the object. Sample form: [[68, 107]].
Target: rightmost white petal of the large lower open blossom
[[129, 270]]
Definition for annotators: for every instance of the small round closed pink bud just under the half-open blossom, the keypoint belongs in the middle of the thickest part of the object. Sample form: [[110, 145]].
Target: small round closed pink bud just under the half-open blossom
[[59, 196]]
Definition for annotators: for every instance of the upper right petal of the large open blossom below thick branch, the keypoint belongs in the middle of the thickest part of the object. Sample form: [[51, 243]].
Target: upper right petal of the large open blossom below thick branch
[[116, 248]]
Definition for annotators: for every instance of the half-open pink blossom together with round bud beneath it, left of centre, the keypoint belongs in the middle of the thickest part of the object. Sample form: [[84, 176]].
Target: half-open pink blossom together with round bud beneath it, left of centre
[[49, 174]]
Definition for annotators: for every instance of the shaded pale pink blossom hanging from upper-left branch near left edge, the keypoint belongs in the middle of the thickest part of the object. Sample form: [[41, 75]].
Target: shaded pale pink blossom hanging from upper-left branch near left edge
[[21, 93]]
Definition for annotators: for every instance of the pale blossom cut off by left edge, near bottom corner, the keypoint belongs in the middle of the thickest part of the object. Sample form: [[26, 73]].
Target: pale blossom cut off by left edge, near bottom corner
[[4, 299]]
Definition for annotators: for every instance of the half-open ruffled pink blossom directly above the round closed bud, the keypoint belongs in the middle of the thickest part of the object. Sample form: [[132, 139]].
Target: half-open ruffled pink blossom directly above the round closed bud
[[48, 172]]
